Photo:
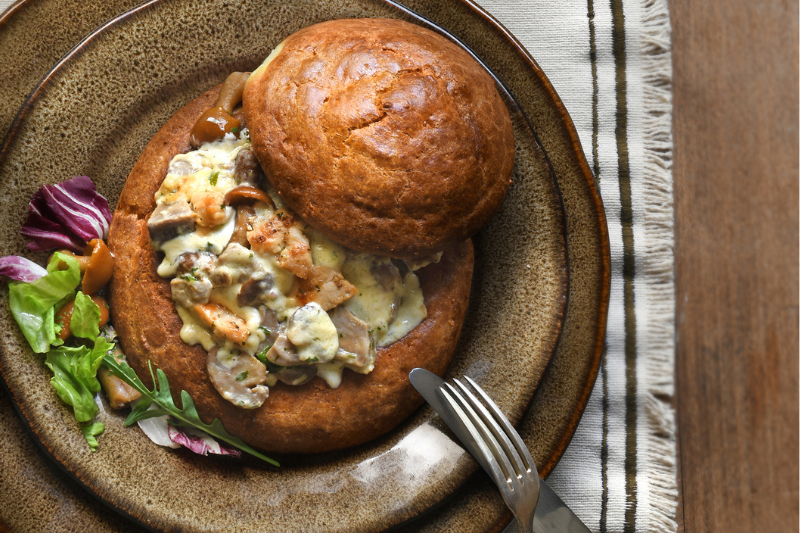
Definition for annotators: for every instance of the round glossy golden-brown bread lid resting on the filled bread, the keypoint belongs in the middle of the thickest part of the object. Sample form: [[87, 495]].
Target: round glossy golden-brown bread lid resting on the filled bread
[[382, 134]]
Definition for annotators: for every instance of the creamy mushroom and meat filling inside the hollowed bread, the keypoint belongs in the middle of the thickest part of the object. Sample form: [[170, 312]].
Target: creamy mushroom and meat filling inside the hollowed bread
[[268, 297]]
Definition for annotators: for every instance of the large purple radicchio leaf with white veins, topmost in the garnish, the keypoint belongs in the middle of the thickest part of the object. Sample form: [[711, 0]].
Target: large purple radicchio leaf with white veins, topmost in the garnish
[[66, 215]]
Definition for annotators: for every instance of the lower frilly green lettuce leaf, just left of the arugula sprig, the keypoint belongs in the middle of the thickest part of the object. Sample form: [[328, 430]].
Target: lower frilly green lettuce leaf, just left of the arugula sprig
[[75, 376]]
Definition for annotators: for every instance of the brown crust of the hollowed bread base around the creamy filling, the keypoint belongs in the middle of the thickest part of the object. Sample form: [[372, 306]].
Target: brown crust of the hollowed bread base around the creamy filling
[[304, 419]]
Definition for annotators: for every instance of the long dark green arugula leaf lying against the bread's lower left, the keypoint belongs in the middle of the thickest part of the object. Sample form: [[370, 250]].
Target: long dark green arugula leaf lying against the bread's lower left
[[162, 397]]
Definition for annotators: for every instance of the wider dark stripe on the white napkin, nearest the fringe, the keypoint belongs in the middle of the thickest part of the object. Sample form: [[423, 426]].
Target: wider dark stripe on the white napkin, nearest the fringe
[[628, 262]]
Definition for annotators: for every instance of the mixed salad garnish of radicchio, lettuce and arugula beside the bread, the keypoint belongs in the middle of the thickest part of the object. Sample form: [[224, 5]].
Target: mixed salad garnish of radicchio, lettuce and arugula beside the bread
[[70, 325]]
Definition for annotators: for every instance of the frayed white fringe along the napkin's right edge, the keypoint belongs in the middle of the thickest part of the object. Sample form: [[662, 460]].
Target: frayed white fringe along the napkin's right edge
[[657, 457]]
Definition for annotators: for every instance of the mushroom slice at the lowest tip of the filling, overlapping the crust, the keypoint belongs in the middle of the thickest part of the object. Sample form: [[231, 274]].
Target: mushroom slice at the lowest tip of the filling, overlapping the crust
[[239, 378]]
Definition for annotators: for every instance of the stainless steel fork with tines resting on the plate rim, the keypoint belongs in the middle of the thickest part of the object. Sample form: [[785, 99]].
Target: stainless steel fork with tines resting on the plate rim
[[502, 453]]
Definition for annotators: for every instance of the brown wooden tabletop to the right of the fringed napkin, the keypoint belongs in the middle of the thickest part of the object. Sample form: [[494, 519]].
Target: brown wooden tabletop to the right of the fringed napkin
[[736, 200]]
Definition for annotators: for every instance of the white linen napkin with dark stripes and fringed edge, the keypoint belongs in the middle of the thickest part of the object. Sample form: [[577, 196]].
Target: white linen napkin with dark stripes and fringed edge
[[610, 62]]
